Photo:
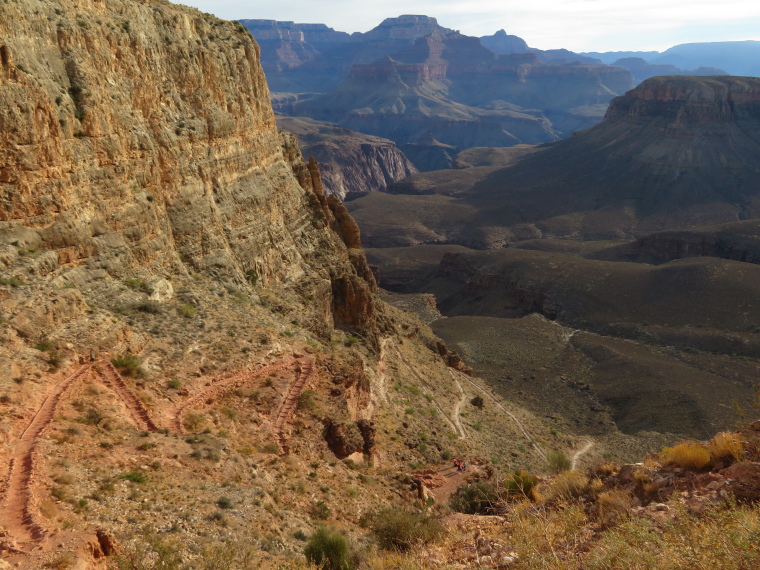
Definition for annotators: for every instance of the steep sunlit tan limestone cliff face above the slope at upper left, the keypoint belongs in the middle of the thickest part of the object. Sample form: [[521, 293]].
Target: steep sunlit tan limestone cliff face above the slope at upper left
[[141, 135]]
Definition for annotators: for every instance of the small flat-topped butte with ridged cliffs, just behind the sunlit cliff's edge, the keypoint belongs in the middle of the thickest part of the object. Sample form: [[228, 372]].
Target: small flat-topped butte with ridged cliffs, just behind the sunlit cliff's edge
[[349, 161]]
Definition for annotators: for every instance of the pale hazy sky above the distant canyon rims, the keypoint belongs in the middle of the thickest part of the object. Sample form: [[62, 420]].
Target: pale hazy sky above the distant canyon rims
[[577, 25]]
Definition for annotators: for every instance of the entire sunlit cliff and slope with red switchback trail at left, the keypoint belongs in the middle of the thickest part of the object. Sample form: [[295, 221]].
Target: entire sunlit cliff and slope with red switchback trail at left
[[193, 354]]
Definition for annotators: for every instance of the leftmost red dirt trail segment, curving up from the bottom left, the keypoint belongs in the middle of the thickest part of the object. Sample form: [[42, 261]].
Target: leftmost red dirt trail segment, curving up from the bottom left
[[19, 512]]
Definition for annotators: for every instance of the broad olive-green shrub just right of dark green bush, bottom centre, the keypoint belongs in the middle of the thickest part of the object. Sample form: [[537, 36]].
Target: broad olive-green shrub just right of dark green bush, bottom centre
[[397, 529]]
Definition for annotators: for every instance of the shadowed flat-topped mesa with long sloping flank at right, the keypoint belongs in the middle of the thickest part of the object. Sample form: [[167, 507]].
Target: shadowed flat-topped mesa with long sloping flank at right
[[674, 153]]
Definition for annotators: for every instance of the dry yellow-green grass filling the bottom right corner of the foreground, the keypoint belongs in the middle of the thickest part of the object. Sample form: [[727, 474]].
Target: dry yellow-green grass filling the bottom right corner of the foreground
[[564, 538]]
